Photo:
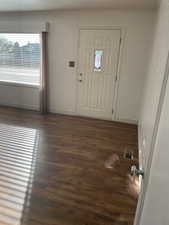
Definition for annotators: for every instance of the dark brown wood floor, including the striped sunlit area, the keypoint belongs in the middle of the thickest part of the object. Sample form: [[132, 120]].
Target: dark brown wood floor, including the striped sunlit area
[[72, 179]]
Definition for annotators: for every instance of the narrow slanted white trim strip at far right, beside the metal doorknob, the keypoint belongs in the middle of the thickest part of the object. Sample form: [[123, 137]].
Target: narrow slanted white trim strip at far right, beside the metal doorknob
[[145, 181]]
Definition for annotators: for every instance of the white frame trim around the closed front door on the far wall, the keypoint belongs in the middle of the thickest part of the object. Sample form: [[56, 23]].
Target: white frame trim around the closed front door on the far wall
[[118, 68]]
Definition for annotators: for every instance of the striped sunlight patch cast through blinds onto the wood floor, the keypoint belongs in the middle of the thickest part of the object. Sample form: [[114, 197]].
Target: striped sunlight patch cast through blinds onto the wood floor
[[18, 147]]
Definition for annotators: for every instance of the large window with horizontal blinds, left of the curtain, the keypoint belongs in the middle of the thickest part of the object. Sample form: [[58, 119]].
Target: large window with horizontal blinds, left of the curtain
[[20, 58]]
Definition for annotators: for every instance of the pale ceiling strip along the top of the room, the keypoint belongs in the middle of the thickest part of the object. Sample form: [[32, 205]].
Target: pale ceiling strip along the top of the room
[[29, 5]]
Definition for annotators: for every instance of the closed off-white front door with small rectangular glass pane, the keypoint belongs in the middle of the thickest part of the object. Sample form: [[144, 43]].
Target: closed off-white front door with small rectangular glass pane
[[97, 71]]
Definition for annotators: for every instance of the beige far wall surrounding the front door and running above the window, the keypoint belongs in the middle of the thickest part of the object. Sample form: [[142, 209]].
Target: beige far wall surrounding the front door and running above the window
[[63, 47]]
